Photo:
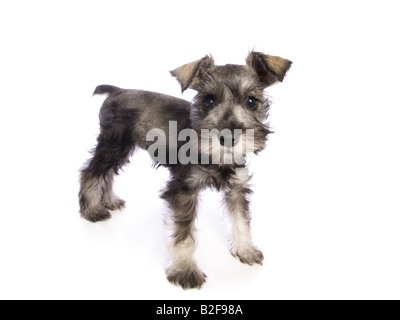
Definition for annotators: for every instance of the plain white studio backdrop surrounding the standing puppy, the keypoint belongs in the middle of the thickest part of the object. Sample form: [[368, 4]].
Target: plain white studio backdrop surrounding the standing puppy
[[326, 190]]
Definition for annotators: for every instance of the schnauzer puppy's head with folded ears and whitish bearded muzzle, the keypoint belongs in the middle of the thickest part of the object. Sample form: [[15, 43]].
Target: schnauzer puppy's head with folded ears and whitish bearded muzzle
[[230, 109]]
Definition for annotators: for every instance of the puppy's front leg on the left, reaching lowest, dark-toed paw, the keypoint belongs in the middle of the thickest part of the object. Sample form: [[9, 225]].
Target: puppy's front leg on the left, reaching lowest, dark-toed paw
[[183, 270]]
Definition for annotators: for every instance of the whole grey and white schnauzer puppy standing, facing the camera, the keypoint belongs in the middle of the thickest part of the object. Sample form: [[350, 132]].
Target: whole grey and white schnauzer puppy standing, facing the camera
[[225, 120]]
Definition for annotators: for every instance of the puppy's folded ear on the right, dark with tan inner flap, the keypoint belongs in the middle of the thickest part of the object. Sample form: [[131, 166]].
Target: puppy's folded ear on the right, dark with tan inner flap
[[270, 69]]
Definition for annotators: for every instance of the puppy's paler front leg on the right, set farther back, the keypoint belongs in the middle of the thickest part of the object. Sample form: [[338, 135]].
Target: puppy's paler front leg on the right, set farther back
[[236, 200]]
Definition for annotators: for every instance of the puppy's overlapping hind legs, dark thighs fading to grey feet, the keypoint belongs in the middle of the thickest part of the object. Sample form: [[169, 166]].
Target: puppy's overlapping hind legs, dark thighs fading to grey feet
[[115, 145]]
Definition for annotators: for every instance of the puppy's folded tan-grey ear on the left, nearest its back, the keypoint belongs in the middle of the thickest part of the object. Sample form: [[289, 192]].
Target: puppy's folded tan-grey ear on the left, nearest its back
[[191, 74]]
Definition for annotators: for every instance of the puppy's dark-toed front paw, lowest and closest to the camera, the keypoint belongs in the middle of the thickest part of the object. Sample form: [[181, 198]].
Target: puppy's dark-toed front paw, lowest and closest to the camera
[[190, 278]]
